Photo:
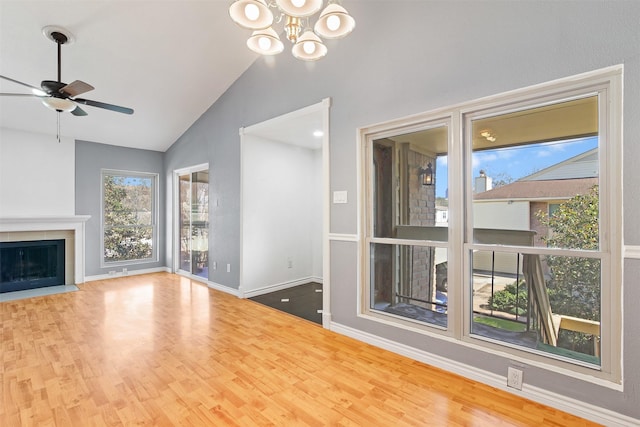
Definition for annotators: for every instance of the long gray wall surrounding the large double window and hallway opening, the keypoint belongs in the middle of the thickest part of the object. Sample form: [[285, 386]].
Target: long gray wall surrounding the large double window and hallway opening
[[406, 57]]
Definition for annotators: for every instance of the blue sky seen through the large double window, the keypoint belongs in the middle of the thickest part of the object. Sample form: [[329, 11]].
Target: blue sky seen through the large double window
[[516, 162]]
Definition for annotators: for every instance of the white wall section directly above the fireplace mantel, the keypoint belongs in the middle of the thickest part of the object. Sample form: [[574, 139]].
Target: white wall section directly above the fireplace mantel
[[37, 175]]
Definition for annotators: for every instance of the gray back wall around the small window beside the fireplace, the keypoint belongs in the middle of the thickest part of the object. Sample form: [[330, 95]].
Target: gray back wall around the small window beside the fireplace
[[91, 158]]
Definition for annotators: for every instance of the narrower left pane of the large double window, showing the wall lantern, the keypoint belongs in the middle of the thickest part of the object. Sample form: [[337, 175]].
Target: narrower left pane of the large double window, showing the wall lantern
[[408, 230]]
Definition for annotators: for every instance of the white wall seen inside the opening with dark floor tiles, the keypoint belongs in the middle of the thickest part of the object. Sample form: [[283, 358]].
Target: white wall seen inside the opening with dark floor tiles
[[281, 206]]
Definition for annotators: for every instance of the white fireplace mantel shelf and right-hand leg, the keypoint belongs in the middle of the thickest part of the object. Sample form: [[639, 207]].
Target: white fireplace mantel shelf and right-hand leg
[[75, 223]]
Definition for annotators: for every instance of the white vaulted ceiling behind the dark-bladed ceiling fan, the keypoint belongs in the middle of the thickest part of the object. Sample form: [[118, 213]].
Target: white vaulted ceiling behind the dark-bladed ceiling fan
[[168, 60]]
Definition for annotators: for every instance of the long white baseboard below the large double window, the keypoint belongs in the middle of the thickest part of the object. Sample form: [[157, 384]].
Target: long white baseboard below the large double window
[[537, 394]]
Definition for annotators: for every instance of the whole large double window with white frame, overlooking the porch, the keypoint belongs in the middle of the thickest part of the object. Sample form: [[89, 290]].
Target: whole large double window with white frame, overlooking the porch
[[498, 223]]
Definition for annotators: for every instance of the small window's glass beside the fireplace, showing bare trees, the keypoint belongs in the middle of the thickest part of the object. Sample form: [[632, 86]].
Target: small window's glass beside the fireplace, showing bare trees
[[128, 217]]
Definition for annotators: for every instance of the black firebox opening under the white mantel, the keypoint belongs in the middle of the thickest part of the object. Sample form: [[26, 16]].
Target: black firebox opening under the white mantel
[[31, 264]]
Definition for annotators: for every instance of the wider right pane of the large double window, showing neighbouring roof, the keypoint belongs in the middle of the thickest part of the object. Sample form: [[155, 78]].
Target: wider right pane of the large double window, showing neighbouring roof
[[544, 292]]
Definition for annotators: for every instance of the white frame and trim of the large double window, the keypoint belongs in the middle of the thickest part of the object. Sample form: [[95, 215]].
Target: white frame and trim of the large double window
[[607, 83]]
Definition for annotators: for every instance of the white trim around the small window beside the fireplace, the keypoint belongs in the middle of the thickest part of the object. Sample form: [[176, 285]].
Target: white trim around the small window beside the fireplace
[[156, 180]]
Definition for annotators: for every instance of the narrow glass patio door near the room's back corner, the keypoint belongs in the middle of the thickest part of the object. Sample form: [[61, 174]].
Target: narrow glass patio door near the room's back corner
[[193, 221]]
